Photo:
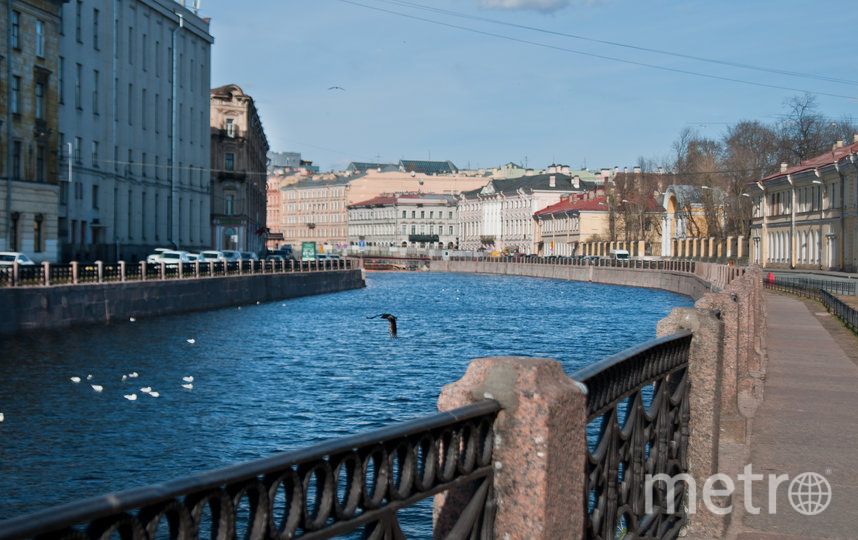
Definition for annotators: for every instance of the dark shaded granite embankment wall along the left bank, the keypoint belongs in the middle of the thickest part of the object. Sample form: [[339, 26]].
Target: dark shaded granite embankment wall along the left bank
[[33, 308]]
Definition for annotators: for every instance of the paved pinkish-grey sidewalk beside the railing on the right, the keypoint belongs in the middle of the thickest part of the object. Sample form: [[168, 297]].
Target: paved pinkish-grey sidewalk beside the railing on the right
[[808, 422]]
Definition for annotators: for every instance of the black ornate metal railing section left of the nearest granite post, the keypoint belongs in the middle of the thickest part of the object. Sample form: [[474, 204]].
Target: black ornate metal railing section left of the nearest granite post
[[357, 483]]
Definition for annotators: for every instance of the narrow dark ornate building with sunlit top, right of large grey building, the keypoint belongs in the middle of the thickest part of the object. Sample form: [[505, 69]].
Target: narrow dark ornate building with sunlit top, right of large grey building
[[239, 175]]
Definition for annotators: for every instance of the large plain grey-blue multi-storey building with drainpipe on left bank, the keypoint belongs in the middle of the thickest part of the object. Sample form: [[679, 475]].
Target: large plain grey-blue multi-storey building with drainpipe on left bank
[[134, 80]]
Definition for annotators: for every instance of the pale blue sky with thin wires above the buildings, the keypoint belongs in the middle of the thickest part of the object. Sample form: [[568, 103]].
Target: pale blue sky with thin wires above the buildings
[[476, 87]]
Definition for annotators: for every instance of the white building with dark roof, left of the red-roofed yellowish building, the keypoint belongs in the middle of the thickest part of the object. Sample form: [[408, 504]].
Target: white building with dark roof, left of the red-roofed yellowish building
[[499, 216]]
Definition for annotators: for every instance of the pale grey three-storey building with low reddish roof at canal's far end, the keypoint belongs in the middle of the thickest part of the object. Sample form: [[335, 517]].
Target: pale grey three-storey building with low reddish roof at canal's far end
[[409, 220]]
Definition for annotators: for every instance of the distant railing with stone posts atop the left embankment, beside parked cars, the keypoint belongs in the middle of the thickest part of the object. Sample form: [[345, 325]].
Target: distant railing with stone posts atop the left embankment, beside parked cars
[[69, 274]]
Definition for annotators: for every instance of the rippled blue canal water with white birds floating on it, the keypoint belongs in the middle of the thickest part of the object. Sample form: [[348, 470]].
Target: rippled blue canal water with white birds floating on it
[[278, 376]]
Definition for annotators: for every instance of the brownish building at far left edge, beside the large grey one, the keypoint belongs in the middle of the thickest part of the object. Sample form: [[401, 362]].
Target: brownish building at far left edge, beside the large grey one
[[28, 133]]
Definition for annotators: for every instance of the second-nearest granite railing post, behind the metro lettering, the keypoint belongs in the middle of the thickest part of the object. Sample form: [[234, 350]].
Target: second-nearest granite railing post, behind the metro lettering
[[704, 371]]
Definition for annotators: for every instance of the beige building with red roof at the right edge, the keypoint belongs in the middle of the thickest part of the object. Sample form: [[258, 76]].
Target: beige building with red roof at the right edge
[[806, 216]]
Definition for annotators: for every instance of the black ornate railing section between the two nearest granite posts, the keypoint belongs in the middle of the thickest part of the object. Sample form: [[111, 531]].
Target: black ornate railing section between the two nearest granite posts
[[638, 413]]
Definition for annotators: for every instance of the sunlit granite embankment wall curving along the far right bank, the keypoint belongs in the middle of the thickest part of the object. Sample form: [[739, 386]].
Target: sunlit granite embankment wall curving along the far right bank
[[677, 282]]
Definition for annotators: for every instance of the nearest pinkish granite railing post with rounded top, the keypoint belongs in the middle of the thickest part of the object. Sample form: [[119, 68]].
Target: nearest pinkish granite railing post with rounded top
[[540, 448]]
